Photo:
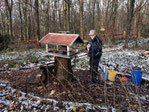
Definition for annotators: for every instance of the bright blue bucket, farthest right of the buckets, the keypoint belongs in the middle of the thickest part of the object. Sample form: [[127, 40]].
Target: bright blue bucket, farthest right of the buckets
[[136, 76]]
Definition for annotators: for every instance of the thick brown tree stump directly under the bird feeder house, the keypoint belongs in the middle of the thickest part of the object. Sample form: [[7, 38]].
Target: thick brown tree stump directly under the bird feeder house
[[63, 69]]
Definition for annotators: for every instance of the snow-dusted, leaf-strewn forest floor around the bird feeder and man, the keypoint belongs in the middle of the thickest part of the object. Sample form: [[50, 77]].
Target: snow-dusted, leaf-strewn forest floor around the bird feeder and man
[[19, 90]]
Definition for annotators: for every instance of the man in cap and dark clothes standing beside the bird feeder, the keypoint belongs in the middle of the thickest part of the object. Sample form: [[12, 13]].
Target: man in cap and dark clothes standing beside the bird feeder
[[94, 48]]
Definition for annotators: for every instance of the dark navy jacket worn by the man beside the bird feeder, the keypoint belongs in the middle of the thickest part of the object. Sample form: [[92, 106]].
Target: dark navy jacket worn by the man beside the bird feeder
[[96, 47]]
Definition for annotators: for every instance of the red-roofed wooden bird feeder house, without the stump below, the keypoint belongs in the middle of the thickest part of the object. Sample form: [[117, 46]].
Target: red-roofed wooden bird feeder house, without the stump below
[[63, 44]]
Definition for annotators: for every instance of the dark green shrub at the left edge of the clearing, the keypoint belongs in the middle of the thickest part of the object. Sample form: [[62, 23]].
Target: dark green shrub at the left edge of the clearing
[[4, 41]]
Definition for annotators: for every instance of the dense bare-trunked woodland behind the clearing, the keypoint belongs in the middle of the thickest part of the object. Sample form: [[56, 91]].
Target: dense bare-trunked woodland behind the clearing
[[29, 19]]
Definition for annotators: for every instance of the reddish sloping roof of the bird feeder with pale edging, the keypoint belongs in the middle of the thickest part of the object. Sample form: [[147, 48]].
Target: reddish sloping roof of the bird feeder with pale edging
[[61, 39]]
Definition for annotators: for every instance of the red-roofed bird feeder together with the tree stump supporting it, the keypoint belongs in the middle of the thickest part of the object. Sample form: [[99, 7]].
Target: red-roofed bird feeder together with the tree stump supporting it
[[63, 47]]
